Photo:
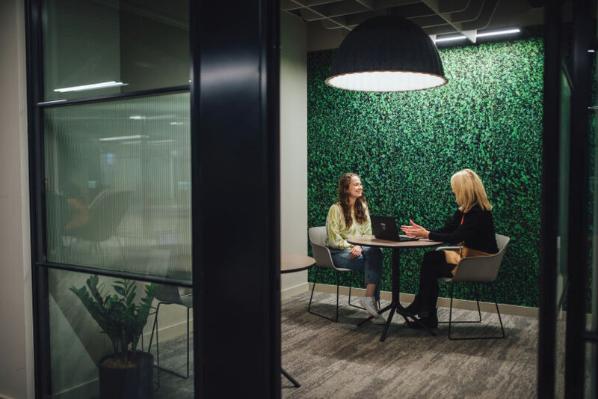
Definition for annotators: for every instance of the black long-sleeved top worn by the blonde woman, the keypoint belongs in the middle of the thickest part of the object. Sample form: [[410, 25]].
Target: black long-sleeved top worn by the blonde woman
[[476, 231]]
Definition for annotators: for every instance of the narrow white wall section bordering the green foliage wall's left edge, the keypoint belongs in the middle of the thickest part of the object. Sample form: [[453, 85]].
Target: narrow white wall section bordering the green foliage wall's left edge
[[293, 146]]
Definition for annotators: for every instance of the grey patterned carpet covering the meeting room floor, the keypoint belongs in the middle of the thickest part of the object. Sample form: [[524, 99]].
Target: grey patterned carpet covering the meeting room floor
[[339, 360]]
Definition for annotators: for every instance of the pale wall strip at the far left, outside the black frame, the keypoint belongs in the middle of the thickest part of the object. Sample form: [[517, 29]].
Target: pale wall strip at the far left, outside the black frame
[[16, 340]]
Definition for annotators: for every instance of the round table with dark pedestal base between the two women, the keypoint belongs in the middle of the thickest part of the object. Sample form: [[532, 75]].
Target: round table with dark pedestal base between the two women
[[395, 305]]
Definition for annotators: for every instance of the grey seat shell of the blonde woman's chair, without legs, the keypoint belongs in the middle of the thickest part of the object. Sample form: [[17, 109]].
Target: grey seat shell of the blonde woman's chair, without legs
[[482, 268]]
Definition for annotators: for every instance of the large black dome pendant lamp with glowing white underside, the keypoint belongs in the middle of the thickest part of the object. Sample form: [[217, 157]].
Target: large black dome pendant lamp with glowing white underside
[[387, 53]]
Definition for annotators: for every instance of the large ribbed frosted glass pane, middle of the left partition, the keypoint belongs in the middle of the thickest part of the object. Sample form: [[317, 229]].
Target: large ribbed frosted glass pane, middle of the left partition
[[118, 189]]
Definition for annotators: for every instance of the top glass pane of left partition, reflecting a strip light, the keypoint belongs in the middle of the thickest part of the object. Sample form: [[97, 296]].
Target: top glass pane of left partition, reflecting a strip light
[[95, 48]]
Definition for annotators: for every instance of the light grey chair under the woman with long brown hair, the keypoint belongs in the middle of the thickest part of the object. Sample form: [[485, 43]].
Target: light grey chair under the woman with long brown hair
[[323, 257]]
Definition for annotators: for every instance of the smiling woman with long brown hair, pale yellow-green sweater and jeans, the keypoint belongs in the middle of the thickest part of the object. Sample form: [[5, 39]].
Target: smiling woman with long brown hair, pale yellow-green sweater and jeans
[[347, 218]]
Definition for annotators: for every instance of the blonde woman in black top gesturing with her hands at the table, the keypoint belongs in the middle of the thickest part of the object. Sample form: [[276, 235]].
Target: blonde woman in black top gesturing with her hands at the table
[[471, 226]]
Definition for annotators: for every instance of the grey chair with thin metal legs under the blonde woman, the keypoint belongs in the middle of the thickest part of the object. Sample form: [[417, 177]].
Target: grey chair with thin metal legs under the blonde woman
[[477, 270]]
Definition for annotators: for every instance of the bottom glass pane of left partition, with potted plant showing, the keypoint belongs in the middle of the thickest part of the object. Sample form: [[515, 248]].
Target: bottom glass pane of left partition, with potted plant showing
[[88, 360]]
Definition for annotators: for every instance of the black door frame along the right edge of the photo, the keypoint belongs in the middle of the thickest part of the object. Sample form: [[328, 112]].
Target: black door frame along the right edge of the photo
[[576, 337]]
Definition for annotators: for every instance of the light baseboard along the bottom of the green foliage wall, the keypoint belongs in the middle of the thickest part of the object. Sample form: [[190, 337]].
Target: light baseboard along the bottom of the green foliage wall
[[442, 302]]
